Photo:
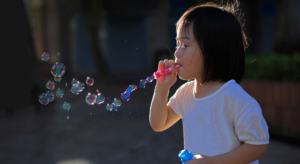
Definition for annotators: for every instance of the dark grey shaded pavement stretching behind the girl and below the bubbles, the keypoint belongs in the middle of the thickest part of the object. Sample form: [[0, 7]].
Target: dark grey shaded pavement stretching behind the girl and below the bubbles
[[92, 135]]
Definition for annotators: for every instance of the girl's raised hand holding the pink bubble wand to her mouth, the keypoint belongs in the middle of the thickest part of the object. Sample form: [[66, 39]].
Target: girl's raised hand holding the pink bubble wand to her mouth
[[167, 80]]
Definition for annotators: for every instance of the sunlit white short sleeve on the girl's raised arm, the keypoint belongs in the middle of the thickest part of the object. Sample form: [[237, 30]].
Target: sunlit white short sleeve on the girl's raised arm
[[174, 101]]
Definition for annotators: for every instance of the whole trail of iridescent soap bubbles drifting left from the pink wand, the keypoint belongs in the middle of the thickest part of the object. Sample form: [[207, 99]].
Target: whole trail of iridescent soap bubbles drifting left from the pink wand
[[59, 69]]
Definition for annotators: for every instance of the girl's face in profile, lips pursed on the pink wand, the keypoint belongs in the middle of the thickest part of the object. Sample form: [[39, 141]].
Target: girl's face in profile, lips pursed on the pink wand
[[188, 54]]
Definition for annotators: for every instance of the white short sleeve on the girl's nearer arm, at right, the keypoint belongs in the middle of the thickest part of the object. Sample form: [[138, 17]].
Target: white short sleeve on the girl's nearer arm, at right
[[251, 127]]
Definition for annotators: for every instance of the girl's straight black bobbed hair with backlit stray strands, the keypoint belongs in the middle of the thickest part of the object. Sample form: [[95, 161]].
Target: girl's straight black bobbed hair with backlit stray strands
[[219, 31]]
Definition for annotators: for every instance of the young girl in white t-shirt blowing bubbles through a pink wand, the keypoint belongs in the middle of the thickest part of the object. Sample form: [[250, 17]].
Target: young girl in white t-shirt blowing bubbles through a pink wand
[[221, 122]]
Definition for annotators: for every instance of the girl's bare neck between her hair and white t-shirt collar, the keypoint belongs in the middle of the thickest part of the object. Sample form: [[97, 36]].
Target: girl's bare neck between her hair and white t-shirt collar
[[206, 89]]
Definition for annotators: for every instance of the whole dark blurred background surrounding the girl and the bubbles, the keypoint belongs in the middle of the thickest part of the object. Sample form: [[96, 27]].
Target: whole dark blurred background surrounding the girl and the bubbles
[[118, 43]]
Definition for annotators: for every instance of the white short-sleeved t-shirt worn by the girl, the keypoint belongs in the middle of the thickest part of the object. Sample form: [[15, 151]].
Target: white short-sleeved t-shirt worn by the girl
[[218, 123]]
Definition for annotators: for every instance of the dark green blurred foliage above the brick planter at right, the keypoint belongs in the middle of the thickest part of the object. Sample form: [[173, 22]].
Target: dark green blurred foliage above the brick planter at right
[[273, 67]]
